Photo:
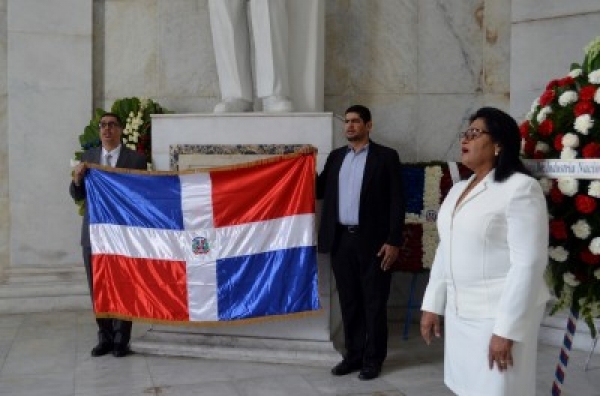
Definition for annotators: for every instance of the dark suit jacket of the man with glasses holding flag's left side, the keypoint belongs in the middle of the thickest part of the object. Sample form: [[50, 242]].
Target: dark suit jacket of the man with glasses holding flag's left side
[[127, 159]]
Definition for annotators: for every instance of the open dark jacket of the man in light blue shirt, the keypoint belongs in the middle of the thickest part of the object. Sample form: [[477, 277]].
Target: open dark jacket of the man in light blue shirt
[[381, 207]]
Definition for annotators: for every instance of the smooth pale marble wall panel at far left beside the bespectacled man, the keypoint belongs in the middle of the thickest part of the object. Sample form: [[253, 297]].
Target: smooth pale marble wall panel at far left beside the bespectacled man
[[49, 101]]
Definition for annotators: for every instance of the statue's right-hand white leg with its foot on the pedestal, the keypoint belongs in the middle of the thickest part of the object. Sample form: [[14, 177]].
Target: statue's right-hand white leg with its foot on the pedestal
[[270, 31]]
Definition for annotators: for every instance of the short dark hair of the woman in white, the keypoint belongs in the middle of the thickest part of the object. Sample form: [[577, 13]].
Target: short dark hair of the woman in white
[[504, 131]]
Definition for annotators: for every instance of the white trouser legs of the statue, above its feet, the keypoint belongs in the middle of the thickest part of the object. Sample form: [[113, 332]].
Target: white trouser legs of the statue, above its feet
[[231, 41]]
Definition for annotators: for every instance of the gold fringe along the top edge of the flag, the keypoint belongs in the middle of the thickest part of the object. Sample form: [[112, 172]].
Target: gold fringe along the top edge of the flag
[[302, 151]]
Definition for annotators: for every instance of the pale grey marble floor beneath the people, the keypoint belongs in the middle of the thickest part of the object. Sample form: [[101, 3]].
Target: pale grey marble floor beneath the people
[[49, 354]]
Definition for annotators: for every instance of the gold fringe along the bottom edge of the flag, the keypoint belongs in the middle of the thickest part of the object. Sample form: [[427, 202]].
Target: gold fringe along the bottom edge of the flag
[[238, 322]]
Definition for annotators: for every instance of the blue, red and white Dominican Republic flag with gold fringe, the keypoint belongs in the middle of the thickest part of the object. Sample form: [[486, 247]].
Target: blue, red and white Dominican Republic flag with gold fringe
[[221, 244]]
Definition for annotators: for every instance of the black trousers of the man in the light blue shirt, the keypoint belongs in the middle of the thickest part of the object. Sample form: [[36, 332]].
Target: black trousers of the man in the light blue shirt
[[363, 289]]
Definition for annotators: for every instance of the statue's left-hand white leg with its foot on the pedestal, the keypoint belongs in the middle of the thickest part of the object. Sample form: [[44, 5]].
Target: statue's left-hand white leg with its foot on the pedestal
[[231, 42]]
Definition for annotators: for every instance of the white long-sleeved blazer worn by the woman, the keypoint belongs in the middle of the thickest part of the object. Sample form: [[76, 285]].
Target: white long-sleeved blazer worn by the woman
[[492, 254]]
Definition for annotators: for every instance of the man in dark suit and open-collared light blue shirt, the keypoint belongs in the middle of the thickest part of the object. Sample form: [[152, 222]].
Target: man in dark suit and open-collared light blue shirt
[[361, 227]]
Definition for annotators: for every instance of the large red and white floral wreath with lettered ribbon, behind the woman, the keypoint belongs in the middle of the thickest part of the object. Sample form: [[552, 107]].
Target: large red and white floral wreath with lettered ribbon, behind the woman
[[564, 122]]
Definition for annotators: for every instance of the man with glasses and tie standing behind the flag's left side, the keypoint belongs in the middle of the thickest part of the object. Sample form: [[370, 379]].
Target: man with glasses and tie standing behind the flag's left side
[[113, 334]]
